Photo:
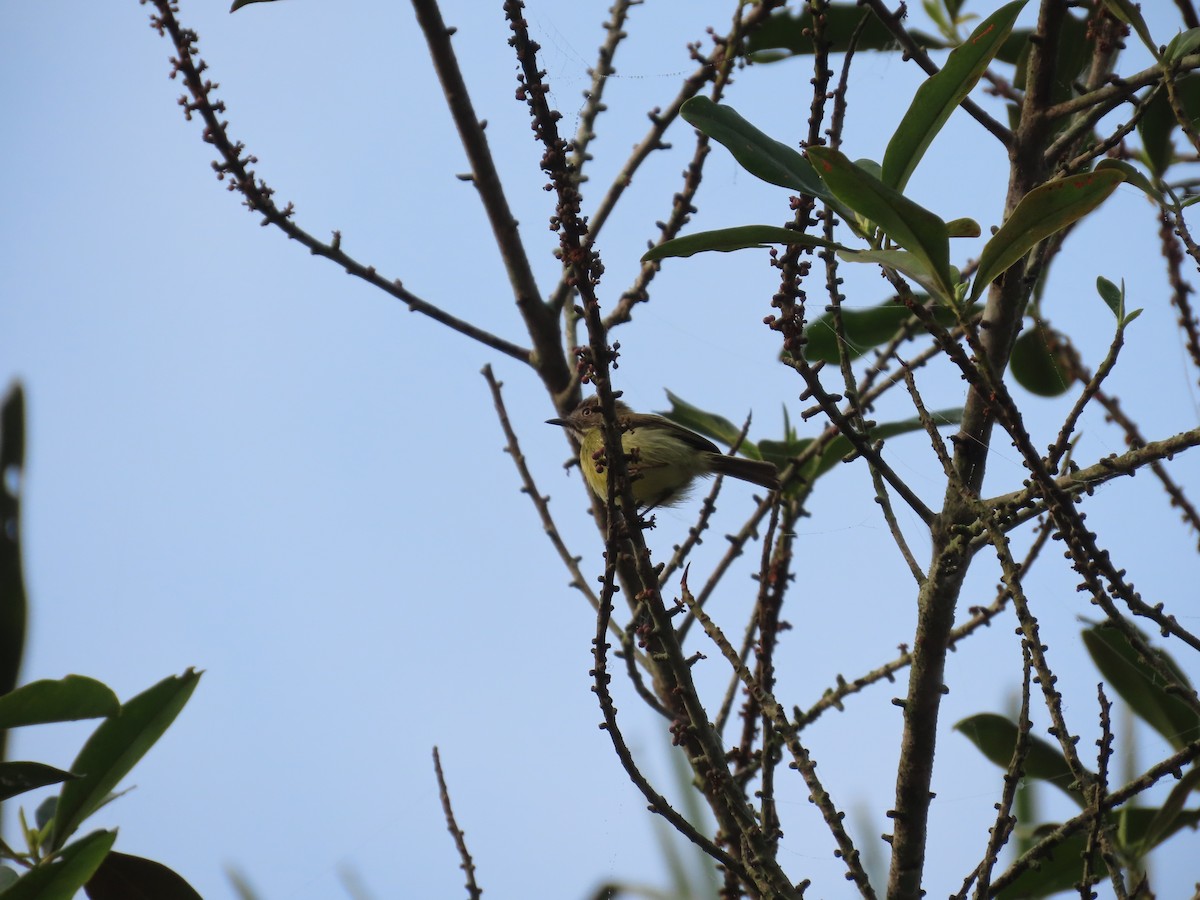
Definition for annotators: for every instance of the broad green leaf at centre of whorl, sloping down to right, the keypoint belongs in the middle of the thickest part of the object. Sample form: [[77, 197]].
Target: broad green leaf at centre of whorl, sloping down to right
[[914, 227]]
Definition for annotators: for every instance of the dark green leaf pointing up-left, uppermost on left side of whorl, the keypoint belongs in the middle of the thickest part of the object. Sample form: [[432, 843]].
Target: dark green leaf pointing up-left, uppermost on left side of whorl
[[763, 157]]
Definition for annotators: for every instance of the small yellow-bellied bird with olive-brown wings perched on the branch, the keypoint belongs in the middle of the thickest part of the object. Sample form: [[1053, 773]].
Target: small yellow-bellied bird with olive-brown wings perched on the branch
[[663, 459]]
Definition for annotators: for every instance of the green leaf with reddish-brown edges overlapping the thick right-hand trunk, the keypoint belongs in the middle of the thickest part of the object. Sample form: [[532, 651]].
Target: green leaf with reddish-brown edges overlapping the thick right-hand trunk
[[1043, 212]]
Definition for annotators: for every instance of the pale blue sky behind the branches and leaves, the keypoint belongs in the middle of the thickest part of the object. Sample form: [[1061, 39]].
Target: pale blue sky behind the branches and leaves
[[245, 461]]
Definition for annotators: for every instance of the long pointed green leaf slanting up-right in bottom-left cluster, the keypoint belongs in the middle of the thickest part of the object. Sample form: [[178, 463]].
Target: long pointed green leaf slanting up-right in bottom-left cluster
[[116, 747]]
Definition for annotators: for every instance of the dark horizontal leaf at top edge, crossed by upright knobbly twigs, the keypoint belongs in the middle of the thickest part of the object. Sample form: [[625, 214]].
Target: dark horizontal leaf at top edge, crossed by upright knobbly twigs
[[791, 33]]
